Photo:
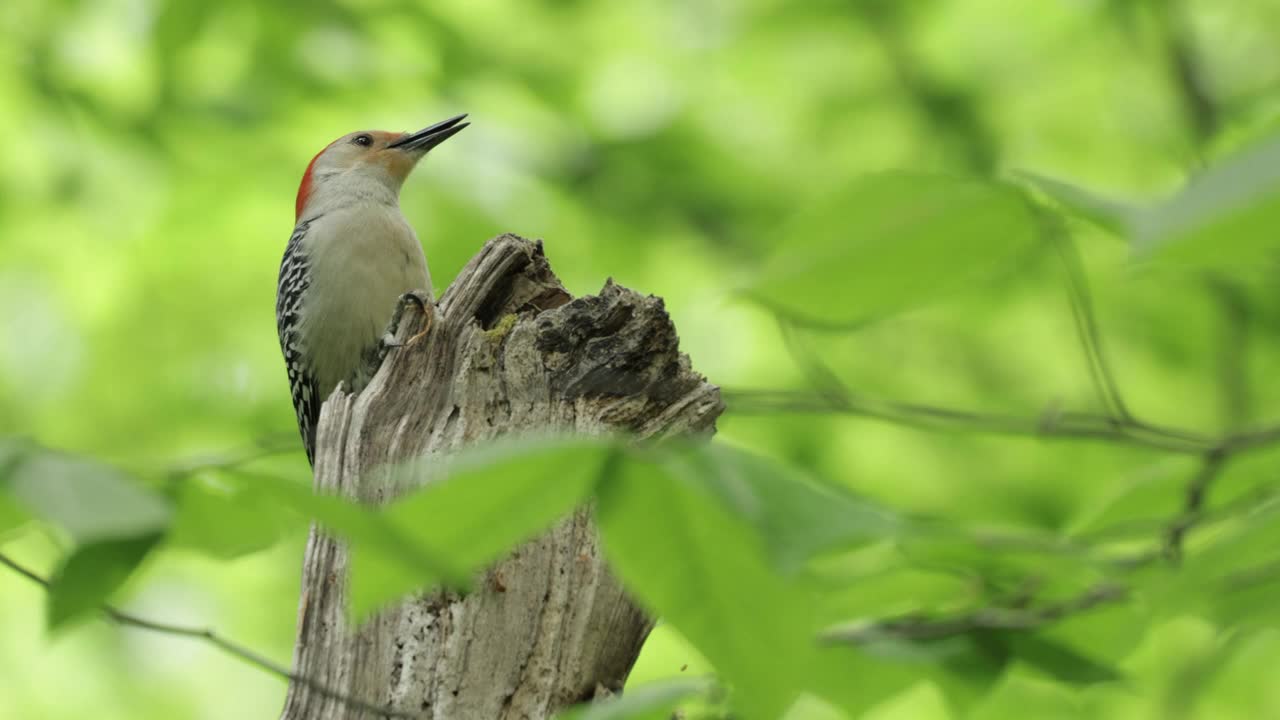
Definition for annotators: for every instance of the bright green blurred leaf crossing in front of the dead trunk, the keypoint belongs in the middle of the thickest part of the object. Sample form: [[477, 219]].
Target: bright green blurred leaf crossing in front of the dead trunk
[[490, 500]]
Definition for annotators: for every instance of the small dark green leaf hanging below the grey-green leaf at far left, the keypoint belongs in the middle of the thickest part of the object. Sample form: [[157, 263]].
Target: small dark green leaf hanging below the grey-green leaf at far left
[[93, 573]]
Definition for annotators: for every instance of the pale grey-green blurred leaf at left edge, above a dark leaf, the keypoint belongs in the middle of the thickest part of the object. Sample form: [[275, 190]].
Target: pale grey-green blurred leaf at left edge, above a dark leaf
[[90, 500]]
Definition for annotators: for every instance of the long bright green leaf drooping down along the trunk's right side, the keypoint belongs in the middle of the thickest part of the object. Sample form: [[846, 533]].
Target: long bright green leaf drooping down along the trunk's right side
[[706, 572]]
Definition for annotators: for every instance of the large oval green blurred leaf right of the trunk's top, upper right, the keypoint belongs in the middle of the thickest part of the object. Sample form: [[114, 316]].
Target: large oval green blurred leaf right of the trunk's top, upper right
[[893, 241]]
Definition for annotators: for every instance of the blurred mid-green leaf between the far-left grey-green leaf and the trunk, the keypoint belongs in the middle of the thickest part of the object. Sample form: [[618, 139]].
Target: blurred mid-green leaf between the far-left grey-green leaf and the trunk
[[227, 522]]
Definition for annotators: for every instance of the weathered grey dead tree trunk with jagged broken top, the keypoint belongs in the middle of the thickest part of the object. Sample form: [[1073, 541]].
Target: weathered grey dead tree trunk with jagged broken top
[[510, 352]]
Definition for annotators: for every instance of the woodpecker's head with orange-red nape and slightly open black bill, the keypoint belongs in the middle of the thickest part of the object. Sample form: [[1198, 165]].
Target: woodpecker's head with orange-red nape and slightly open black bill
[[369, 163]]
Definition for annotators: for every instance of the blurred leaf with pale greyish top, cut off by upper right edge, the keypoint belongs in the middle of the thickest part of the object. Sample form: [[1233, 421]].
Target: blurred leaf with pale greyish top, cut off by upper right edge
[[1229, 212]]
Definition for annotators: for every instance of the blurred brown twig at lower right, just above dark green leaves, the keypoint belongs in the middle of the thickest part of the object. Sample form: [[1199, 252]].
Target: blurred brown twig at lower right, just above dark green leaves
[[985, 619]]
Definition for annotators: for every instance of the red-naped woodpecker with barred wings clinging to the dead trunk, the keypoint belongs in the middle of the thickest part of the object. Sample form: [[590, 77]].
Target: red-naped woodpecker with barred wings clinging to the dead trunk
[[350, 265]]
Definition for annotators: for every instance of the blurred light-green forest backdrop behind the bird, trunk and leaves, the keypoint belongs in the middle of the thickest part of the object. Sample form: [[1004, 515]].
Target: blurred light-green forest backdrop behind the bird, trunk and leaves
[[152, 151]]
